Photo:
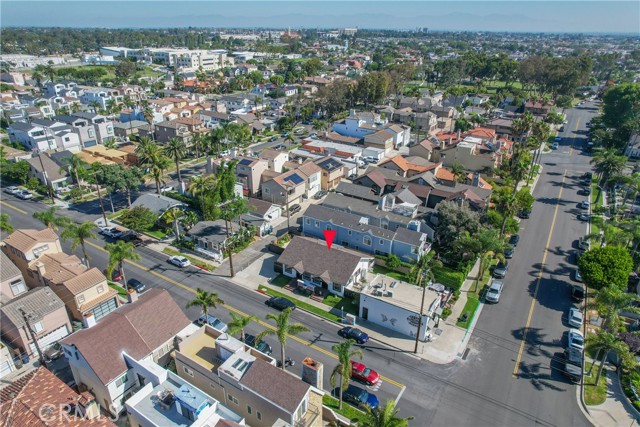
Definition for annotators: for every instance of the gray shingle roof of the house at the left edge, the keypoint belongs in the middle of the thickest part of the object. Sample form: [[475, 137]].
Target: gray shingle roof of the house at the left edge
[[37, 302]]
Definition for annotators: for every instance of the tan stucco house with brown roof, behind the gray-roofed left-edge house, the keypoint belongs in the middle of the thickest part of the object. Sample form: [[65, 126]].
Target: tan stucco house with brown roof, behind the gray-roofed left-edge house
[[85, 291]]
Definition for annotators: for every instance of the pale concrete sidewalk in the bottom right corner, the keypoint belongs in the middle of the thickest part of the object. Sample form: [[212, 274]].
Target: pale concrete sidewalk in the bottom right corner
[[615, 410]]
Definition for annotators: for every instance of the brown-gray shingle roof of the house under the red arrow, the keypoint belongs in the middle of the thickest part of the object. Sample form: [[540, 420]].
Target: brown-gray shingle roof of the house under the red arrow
[[312, 256]]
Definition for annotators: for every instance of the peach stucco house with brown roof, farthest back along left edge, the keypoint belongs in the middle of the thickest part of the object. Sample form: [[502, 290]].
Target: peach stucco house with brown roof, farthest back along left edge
[[24, 246]]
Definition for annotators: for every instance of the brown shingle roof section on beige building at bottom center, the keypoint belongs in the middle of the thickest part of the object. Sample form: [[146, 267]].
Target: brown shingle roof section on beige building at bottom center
[[278, 386]]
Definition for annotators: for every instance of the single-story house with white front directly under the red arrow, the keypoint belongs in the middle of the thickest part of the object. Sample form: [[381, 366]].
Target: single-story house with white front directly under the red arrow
[[337, 271]]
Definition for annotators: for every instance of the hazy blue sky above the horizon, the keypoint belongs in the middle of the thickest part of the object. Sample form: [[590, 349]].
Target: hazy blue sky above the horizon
[[571, 16]]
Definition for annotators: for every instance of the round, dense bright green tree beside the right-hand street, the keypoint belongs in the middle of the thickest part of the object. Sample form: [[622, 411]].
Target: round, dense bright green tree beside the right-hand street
[[607, 266]]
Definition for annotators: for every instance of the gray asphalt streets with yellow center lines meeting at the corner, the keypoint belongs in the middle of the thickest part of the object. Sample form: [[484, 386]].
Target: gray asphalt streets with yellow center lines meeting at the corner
[[523, 334]]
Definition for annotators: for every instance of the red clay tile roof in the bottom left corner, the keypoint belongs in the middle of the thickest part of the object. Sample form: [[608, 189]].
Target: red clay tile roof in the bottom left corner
[[40, 399]]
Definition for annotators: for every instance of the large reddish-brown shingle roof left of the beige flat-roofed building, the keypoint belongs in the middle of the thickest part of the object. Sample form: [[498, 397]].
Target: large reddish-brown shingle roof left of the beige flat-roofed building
[[137, 329]]
